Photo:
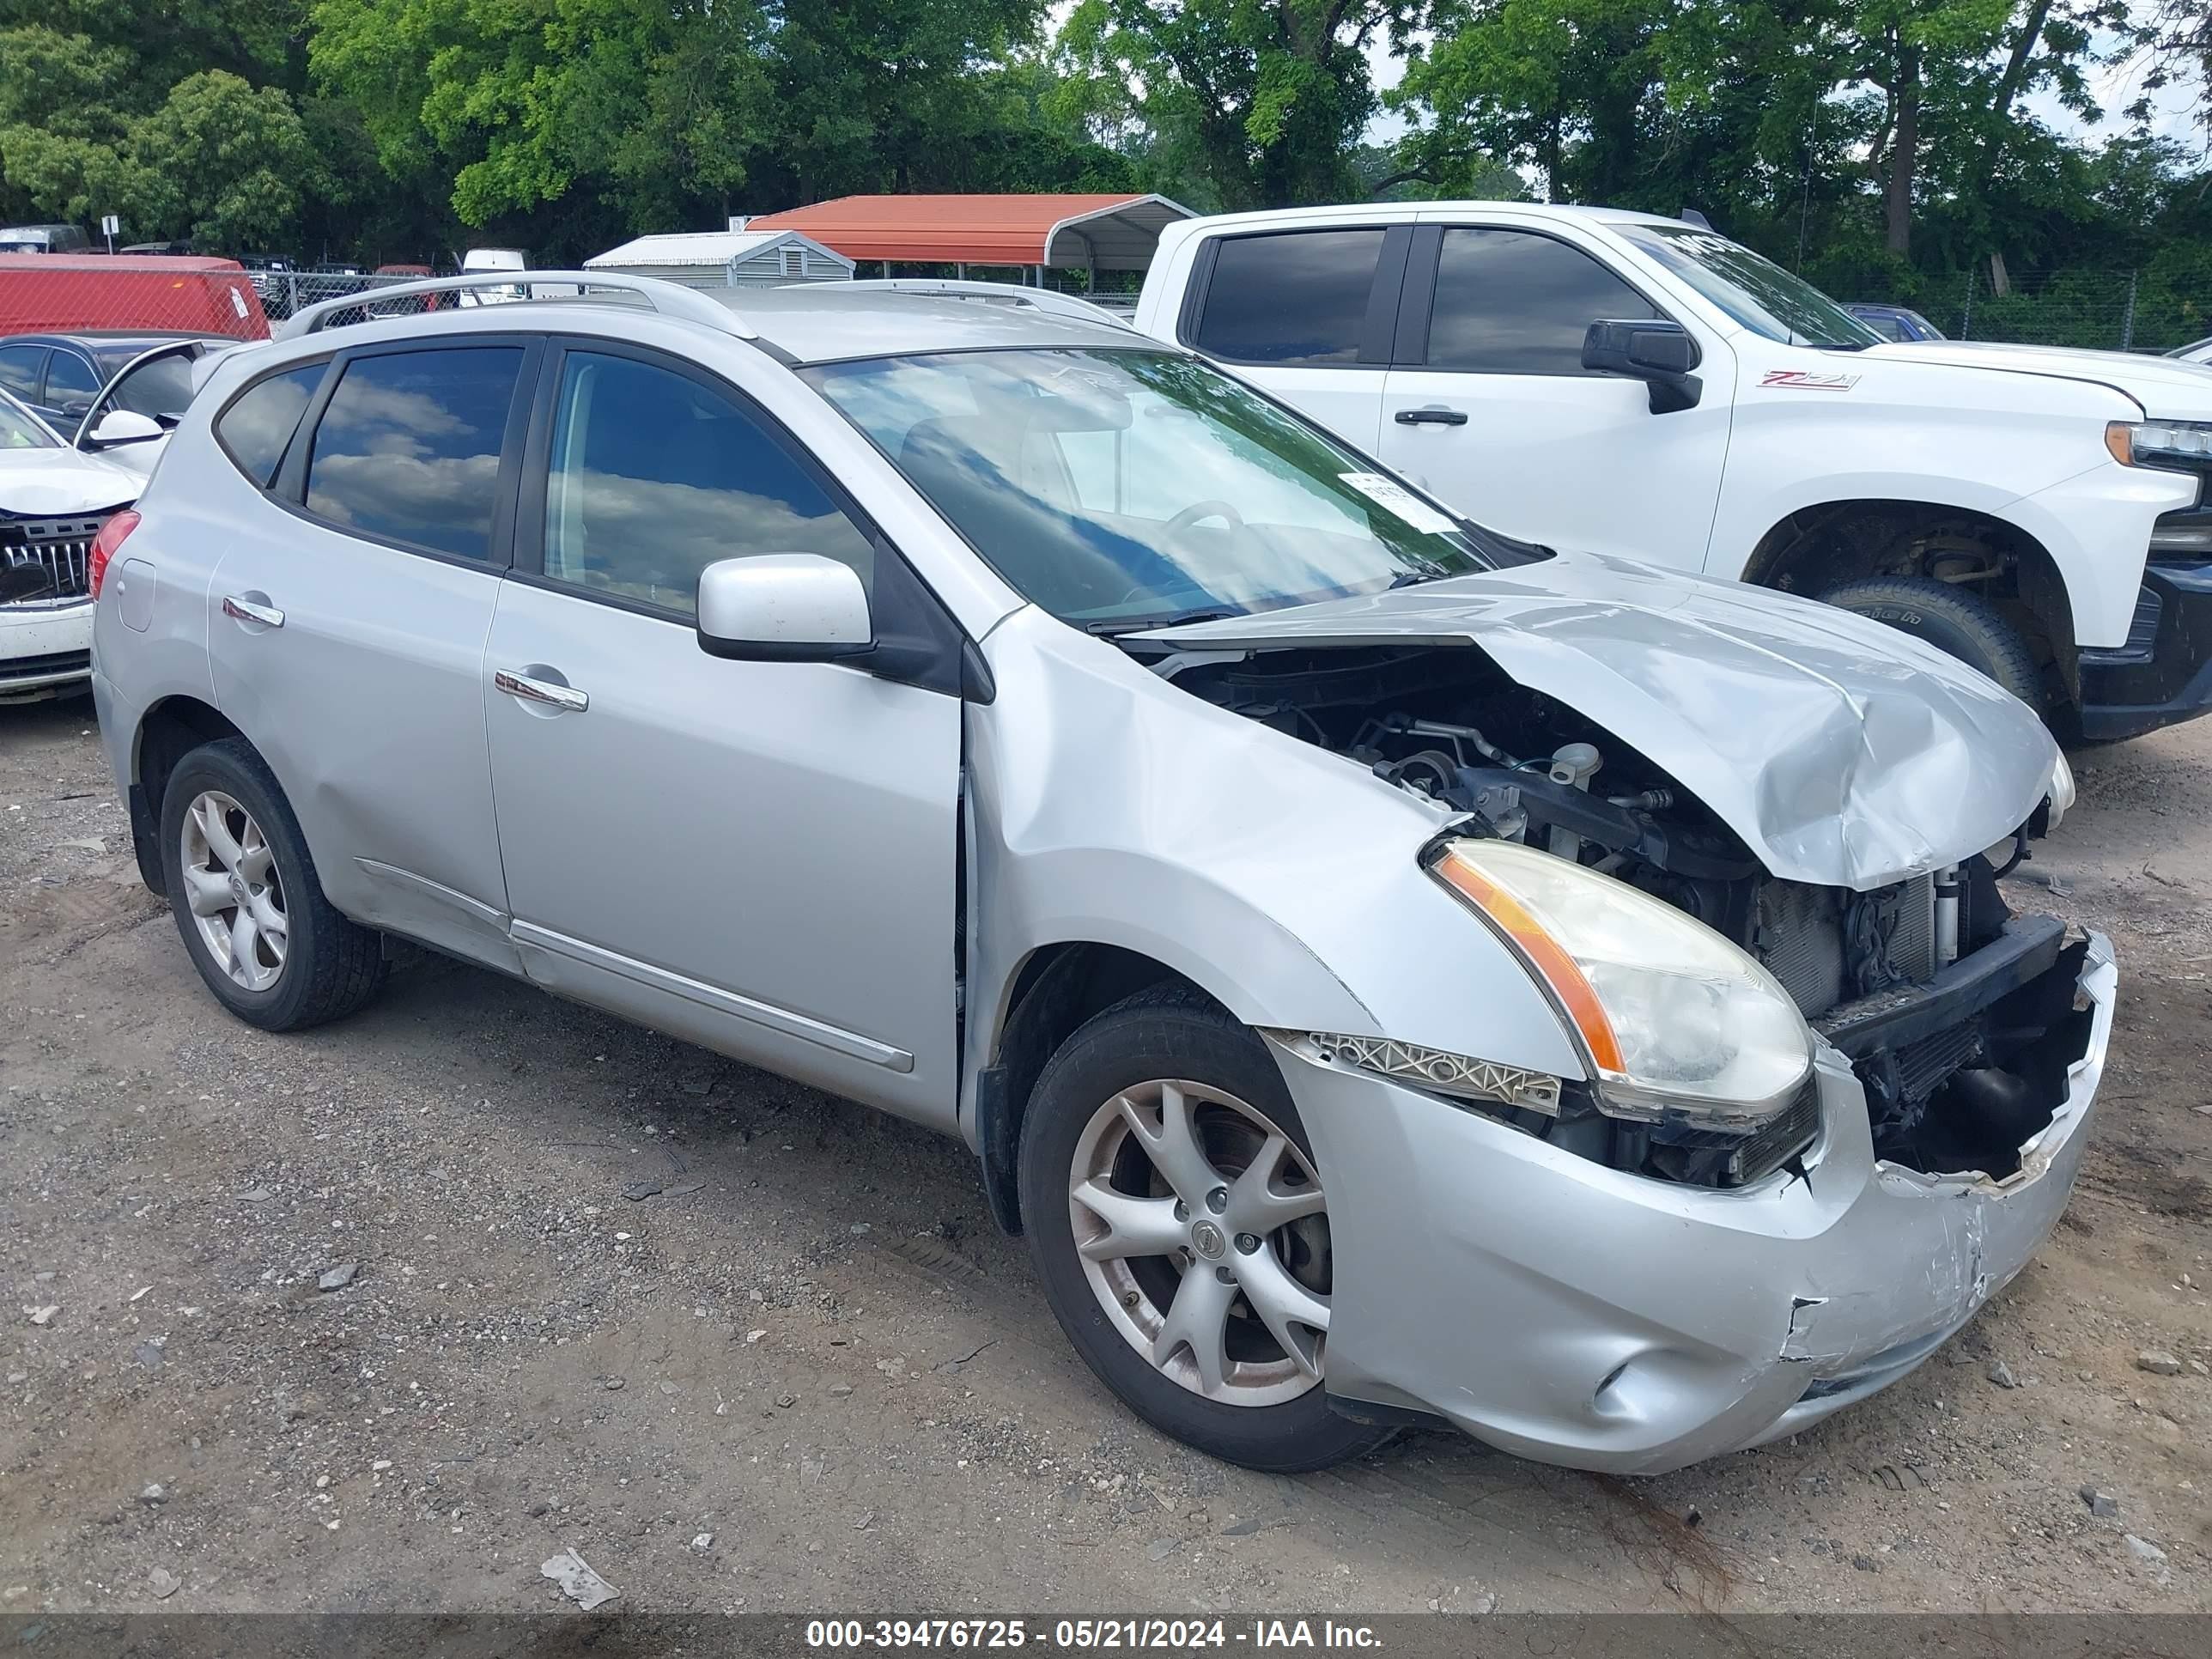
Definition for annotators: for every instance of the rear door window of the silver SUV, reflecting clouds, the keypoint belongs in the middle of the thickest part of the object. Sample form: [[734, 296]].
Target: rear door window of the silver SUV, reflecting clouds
[[410, 448]]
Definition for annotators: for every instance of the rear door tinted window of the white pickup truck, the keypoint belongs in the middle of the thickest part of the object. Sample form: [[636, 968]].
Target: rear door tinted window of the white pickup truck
[[1295, 298]]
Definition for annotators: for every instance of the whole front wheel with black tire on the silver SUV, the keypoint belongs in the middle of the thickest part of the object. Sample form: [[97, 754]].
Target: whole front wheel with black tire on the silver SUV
[[1180, 1227]]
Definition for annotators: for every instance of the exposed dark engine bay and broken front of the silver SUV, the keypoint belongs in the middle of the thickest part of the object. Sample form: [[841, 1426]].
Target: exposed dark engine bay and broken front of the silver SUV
[[1959, 1019]]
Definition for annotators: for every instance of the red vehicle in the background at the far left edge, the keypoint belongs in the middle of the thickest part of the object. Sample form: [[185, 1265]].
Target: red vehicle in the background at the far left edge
[[156, 293]]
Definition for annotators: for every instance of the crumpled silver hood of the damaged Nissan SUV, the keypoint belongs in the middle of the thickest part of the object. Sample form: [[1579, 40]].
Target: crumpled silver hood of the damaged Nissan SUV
[[1841, 751]]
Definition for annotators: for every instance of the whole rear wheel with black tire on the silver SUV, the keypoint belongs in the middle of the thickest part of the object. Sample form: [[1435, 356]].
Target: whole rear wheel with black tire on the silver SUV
[[247, 897]]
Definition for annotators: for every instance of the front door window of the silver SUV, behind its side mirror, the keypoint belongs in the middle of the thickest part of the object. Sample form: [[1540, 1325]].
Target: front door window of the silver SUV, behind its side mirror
[[654, 477]]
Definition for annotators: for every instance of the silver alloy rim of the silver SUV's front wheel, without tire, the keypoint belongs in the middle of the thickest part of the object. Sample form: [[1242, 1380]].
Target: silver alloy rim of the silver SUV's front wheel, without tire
[[1204, 1235]]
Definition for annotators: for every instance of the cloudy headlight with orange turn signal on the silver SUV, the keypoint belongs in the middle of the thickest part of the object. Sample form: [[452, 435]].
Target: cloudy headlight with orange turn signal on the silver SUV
[[1673, 1019]]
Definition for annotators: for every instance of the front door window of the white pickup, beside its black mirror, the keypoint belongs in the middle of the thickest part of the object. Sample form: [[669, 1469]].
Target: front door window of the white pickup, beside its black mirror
[[1510, 302]]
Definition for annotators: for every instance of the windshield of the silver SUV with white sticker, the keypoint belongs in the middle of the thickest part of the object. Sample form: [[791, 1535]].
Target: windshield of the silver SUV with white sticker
[[1125, 490]]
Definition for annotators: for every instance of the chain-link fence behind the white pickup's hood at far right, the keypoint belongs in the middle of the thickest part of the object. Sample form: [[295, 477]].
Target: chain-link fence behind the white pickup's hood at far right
[[2109, 311]]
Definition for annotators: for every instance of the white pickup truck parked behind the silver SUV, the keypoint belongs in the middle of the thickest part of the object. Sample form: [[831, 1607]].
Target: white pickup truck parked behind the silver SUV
[[1645, 386]]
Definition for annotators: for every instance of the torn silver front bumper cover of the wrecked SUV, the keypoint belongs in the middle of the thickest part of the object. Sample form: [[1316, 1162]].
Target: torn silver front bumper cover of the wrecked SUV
[[1587, 1317]]
